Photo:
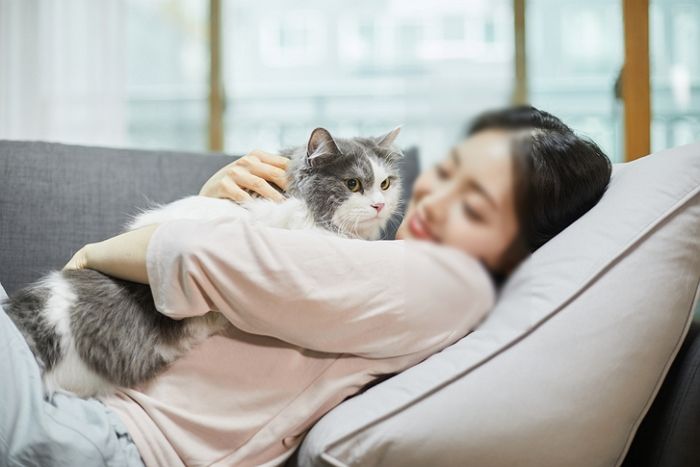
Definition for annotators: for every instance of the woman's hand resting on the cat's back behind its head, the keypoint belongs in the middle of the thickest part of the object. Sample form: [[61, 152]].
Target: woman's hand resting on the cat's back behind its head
[[252, 172]]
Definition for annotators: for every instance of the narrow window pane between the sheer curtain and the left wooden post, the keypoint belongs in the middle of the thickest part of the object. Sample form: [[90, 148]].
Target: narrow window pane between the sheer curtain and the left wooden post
[[167, 65]]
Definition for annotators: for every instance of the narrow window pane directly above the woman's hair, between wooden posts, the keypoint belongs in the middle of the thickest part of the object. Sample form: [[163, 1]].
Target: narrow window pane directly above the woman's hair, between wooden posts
[[575, 53]]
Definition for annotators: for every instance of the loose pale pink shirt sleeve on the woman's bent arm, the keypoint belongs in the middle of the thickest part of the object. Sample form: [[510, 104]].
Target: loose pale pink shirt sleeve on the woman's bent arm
[[373, 299]]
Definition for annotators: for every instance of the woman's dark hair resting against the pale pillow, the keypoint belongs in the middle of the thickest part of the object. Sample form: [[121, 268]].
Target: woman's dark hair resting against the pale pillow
[[559, 175]]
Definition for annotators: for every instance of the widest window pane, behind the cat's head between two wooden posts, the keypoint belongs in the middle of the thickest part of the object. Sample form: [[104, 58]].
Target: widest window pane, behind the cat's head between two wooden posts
[[361, 68]]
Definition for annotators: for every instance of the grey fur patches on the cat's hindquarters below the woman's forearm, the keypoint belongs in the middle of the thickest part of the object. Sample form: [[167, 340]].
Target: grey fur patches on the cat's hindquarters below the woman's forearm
[[116, 329]]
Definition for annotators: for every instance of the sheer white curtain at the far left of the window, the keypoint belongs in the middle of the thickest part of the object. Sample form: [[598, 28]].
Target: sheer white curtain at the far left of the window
[[62, 71]]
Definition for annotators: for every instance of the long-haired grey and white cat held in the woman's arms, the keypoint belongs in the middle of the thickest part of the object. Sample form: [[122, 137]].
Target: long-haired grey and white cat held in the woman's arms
[[91, 333]]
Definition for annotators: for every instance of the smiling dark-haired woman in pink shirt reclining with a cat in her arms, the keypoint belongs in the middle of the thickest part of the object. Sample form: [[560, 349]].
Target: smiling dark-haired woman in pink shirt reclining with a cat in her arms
[[316, 318]]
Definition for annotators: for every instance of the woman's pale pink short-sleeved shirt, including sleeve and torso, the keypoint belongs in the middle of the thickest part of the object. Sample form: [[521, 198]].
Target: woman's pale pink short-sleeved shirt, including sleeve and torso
[[316, 318]]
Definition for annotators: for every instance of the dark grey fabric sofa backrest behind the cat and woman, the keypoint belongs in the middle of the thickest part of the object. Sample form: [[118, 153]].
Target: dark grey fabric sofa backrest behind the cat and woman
[[55, 198]]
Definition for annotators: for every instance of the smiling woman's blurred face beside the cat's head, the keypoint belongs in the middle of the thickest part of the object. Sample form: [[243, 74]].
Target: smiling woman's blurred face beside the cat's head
[[467, 200]]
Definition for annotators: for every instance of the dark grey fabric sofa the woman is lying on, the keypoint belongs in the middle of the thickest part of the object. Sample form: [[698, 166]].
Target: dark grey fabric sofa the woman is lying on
[[55, 198]]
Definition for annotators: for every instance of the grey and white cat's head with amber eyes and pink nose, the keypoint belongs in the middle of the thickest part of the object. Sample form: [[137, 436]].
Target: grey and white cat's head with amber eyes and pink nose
[[351, 186]]
